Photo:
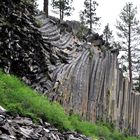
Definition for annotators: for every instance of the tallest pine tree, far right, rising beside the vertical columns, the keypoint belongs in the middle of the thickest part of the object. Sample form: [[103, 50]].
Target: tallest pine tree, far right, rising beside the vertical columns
[[129, 33]]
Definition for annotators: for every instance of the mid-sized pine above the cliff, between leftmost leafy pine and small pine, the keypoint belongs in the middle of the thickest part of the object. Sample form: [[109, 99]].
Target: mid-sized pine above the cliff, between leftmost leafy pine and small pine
[[88, 15]]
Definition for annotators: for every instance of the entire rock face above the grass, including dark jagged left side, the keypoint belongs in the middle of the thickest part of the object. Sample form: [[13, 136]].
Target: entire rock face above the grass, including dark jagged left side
[[84, 79]]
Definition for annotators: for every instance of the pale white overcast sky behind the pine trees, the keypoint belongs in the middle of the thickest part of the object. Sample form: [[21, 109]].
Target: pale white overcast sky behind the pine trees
[[108, 10]]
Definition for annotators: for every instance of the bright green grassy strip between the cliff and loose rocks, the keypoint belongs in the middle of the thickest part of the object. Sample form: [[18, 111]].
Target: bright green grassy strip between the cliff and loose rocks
[[18, 98]]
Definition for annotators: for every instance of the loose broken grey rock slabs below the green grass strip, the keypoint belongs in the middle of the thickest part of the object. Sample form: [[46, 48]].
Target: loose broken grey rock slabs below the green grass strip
[[22, 128]]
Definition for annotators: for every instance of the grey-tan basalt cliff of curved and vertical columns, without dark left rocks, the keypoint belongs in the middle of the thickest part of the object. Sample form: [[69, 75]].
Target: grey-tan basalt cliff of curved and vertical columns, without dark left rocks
[[88, 81]]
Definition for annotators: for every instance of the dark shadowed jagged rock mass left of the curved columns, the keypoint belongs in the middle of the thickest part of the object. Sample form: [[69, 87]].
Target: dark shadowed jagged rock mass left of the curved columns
[[20, 41]]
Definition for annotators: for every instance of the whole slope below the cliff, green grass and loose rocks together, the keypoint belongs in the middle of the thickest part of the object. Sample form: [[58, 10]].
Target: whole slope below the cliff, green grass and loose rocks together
[[21, 100]]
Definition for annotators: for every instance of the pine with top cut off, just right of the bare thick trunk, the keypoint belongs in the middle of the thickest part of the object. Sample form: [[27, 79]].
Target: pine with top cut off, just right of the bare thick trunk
[[62, 7]]
